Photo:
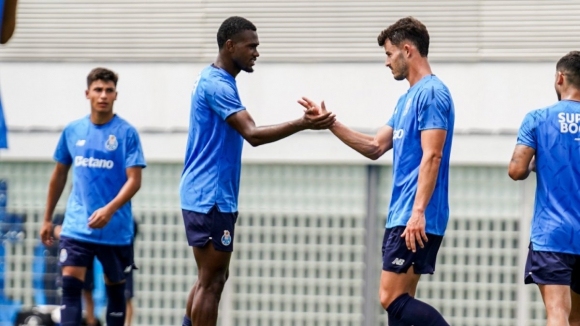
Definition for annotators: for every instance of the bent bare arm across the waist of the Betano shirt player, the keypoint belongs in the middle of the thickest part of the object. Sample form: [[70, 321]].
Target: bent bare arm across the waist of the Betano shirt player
[[103, 215]]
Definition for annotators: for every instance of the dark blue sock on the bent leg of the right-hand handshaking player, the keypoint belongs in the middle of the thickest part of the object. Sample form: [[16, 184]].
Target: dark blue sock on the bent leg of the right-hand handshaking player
[[406, 310]]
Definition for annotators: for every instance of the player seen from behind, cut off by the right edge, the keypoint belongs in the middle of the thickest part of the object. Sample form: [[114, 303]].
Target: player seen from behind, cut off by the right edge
[[548, 143]]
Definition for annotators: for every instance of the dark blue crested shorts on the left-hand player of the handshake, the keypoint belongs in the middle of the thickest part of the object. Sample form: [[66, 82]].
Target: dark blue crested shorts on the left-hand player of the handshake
[[216, 226]]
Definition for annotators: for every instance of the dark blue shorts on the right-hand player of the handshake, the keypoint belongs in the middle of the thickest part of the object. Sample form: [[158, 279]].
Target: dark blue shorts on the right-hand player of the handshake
[[398, 259]]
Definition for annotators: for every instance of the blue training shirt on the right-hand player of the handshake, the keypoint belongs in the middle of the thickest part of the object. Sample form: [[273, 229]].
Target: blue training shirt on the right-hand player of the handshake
[[426, 105]]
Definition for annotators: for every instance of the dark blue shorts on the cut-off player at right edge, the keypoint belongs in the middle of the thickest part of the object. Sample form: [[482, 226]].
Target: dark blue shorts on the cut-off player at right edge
[[552, 268]]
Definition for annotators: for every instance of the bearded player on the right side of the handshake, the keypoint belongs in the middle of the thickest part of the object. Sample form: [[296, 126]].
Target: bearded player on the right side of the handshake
[[420, 132]]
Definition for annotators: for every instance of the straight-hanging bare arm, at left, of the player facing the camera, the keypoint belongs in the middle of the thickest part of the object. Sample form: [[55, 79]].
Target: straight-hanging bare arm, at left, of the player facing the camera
[[55, 188]]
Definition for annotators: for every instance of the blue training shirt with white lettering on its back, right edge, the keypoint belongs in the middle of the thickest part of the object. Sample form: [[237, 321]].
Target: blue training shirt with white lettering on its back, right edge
[[554, 133]]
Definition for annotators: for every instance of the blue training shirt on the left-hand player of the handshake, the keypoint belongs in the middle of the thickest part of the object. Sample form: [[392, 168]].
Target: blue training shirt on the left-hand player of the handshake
[[211, 175]]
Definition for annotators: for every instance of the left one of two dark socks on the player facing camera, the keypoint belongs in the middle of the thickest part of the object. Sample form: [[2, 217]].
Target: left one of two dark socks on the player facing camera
[[71, 309]]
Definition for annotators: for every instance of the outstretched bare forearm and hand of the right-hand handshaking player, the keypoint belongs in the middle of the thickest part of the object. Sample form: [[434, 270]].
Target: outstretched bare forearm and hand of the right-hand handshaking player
[[369, 146]]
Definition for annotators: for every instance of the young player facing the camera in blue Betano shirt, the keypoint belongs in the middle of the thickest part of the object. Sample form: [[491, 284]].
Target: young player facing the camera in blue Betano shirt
[[107, 159]]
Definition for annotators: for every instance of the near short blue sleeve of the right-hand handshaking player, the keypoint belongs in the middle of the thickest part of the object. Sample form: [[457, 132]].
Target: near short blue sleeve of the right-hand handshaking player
[[433, 109]]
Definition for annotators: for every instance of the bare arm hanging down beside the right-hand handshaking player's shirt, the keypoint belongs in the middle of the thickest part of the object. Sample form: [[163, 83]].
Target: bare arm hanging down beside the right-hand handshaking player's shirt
[[432, 142]]
